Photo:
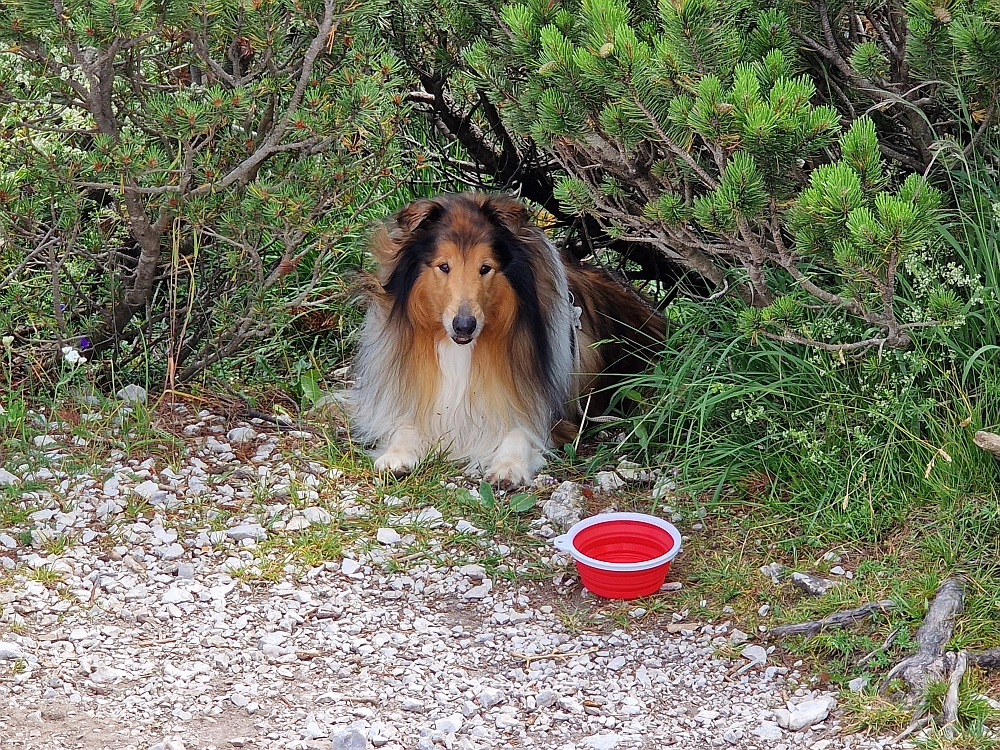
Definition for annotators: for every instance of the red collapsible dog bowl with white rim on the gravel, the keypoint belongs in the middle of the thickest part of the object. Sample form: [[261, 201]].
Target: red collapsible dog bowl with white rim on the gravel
[[621, 555]]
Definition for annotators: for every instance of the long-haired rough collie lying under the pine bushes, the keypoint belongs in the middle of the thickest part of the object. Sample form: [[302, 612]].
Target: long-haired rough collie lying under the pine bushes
[[479, 338]]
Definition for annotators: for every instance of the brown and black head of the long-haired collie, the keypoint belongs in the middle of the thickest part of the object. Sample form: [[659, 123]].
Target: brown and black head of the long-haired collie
[[452, 266]]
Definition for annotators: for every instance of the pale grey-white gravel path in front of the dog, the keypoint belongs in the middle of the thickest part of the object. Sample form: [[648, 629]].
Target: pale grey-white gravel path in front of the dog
[[163, 631]]
